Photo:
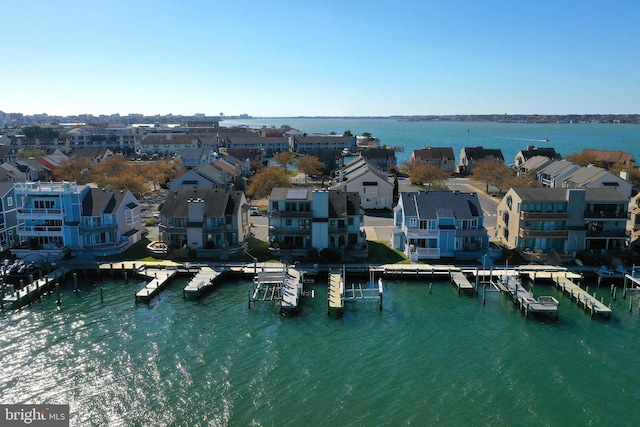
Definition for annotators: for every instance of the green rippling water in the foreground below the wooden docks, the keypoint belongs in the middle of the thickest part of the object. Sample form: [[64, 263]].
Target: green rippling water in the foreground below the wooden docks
[[436, 358]]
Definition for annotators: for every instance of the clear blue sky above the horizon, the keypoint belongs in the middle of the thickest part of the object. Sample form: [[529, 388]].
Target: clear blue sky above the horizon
[[326, 57]]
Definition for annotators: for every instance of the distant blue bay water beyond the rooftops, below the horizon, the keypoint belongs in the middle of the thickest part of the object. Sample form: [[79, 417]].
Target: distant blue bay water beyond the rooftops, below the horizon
[[565, 138]]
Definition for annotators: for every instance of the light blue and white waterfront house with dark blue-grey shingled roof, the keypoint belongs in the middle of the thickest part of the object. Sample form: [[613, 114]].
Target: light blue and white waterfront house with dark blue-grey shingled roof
[[436, 224]]
